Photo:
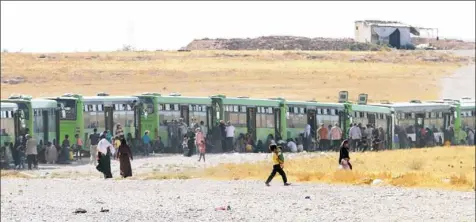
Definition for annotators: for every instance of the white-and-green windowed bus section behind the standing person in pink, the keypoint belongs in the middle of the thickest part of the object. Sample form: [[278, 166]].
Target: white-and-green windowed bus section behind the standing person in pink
[[192, 110]]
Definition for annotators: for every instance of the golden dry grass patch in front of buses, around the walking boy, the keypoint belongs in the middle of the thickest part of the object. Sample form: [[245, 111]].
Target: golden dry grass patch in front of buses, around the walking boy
[[448, 167]]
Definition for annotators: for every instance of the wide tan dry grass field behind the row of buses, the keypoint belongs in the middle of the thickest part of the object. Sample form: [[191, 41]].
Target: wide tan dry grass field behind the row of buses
[[288, 74]]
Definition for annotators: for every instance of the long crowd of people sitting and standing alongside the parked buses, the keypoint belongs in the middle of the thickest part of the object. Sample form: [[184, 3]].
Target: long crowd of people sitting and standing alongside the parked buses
[[222, 138]]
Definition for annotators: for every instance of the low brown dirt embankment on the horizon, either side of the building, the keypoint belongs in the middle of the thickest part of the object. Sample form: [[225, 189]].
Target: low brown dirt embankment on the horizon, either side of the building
[[315, 44]]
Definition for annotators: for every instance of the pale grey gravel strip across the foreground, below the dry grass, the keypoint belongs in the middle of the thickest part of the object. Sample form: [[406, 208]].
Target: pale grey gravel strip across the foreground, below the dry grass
[[196, 200]]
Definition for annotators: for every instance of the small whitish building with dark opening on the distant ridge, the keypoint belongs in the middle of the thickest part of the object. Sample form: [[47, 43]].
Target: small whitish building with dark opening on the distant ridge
[[393, 33]]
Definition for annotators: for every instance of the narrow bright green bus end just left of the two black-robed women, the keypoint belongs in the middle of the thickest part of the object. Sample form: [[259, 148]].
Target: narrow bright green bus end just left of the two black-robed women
[[70, 116]]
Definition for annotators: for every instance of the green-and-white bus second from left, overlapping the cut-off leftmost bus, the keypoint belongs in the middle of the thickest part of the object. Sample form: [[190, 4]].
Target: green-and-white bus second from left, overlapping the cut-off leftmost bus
[[41, 117]]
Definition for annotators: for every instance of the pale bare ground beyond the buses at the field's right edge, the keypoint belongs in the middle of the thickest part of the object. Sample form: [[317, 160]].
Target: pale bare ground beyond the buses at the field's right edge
[[462, 82]]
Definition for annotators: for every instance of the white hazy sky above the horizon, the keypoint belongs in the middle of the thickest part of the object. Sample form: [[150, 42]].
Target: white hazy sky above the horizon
[[104, 26]]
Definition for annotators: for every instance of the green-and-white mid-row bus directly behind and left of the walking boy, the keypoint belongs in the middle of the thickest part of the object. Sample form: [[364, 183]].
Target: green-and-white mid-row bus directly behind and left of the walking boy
[[258, 117]]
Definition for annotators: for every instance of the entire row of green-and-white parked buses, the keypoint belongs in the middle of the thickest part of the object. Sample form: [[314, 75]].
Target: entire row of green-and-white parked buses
[[50, 119]]
